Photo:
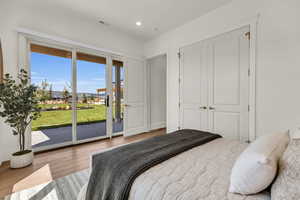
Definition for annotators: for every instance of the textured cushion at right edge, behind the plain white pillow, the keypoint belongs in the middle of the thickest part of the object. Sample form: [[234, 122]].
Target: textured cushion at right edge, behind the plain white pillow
[[287, 183]]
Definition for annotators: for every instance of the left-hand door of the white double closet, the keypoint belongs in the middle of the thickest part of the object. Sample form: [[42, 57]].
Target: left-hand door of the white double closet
[[193, 88]]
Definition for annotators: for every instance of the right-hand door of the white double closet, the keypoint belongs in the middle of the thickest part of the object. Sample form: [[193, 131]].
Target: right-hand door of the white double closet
[[228, 65]]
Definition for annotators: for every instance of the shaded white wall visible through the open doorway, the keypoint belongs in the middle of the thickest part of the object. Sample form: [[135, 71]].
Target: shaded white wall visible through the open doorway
[[157, 98]]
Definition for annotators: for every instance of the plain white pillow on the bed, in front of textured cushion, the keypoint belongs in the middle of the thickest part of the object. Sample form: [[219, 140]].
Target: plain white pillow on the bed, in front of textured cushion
[[256, 167]]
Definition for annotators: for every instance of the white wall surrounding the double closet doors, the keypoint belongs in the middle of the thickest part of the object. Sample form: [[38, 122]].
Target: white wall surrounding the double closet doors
[[278, 58]]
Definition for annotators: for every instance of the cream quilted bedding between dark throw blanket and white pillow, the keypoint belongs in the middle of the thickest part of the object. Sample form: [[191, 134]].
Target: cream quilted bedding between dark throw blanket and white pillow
[[202, 173]]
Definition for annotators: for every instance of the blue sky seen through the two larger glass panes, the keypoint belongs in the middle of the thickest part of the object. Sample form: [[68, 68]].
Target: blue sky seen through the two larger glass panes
[[57, 71]]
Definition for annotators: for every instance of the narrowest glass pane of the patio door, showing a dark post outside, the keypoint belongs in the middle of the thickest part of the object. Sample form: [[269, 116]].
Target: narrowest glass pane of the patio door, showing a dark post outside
[[117, 96]]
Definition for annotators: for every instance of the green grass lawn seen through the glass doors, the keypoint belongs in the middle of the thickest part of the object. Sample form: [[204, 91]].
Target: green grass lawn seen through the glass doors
[[58, 118]]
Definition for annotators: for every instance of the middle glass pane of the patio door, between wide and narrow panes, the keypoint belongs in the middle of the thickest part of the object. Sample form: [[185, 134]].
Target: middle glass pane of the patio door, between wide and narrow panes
[[91, 97]]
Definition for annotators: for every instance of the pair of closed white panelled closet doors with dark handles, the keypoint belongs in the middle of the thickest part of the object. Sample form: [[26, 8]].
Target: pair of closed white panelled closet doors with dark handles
[[214, 85]]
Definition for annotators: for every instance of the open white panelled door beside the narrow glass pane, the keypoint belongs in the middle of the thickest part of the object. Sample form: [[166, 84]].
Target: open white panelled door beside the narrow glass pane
[[135, 105]]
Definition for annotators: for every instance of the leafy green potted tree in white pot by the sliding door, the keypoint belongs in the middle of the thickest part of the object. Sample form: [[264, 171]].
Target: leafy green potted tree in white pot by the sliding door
[[18, 107]]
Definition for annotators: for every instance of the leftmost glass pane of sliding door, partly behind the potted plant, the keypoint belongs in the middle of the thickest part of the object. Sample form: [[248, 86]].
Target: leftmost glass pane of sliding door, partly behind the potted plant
[[51, 72]]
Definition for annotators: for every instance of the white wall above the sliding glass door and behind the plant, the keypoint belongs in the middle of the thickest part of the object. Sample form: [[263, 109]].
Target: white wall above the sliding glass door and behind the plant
[[59, 23]]
